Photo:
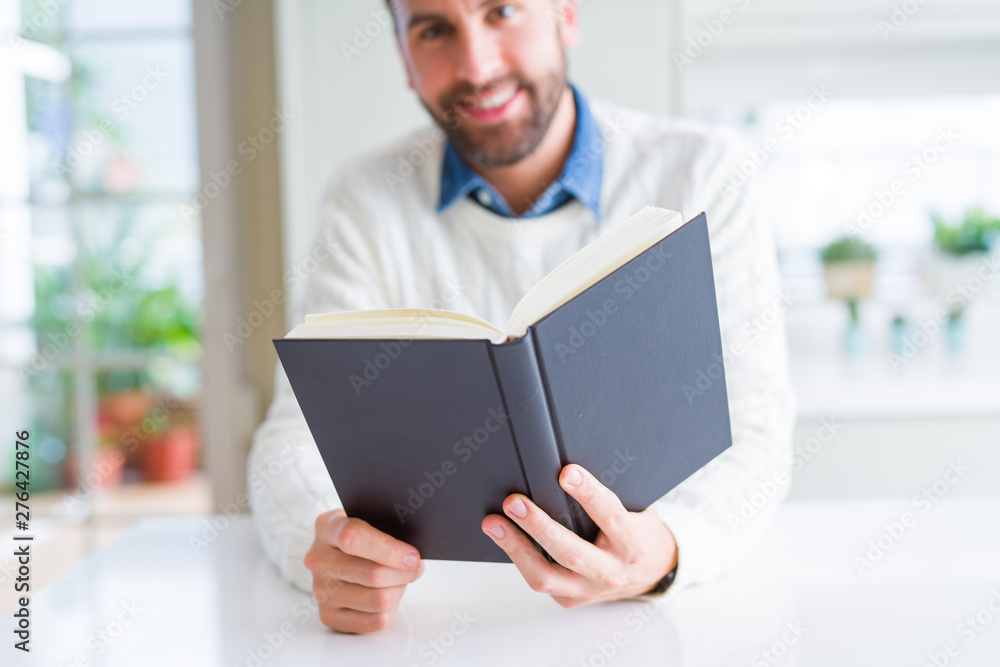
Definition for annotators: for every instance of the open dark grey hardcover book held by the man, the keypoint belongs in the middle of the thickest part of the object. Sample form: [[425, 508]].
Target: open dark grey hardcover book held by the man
[[427, 419]]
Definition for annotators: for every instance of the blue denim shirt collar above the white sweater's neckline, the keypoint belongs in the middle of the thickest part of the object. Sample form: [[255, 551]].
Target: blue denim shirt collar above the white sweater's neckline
[[581, 177]]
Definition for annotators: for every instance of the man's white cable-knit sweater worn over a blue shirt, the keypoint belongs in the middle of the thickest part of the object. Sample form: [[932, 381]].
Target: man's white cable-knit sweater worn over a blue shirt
[[389, 249]]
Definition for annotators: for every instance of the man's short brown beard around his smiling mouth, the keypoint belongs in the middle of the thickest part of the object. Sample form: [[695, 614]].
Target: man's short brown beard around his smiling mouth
[[506, 143]]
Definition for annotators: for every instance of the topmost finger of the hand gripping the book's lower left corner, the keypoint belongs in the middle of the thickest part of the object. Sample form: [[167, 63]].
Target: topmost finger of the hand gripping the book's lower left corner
[[358, 538]]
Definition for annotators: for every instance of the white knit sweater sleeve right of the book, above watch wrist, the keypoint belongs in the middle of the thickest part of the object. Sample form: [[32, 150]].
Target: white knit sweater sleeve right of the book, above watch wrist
[[718, 513]]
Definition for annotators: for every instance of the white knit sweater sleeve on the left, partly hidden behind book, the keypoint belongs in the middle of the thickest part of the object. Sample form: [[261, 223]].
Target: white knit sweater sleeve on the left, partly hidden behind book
[[287, 481]]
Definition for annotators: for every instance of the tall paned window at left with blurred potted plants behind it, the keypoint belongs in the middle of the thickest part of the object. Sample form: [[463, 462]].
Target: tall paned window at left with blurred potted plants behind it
[[100, 267]]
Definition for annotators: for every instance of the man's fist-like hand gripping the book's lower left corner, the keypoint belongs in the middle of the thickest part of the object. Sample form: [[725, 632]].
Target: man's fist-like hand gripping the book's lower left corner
[[359, 573]]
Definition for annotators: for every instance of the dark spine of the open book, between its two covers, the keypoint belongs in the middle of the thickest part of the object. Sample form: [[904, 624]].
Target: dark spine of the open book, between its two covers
[[520, 382]]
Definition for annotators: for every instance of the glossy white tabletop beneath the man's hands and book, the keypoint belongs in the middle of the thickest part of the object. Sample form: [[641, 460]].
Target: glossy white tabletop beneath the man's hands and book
[[148, 599]]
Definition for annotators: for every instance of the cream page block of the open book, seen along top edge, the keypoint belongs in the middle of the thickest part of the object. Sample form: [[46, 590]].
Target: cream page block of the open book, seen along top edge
[[572, 277]]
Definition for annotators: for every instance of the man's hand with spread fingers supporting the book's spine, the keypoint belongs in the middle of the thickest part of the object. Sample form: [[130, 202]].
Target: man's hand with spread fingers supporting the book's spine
[[633, 551]]
